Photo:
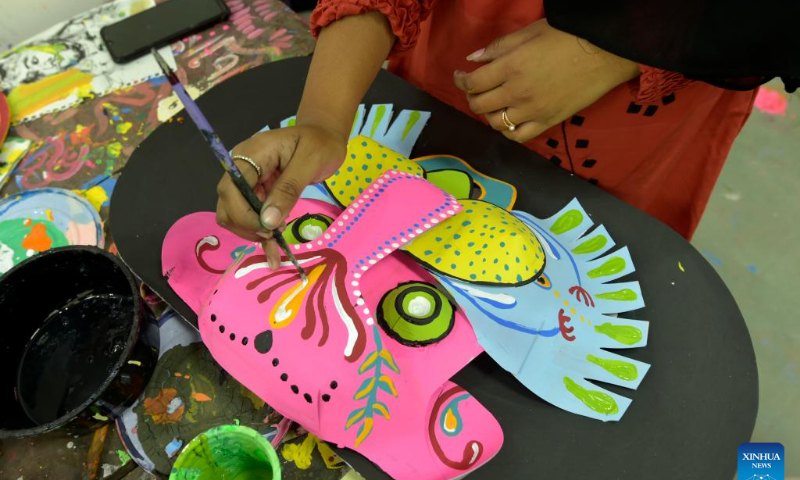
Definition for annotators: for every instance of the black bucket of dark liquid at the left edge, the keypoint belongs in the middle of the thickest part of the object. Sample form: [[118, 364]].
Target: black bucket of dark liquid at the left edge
[[78, 344]]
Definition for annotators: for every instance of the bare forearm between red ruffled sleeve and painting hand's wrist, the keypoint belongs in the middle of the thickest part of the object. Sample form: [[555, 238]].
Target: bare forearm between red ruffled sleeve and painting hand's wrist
[[347, 58]]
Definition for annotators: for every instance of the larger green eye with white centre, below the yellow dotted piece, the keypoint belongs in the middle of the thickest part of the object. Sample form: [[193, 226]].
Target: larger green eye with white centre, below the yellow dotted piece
[[416, 314]]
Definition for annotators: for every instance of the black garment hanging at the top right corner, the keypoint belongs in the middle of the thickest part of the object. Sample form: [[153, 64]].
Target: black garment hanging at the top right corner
[[735, 44]]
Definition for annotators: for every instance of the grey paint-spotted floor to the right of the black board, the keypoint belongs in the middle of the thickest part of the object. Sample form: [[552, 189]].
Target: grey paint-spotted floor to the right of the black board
[[750, 235]]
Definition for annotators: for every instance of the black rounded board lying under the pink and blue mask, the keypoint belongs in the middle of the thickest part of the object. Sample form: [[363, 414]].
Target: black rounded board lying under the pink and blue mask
[[700, 397]]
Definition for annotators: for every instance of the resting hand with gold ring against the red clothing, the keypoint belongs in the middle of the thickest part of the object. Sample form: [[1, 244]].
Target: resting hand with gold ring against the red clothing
[[539, 76]]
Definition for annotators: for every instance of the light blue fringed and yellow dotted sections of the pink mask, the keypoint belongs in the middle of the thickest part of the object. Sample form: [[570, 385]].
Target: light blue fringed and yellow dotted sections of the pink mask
[[537, 292]]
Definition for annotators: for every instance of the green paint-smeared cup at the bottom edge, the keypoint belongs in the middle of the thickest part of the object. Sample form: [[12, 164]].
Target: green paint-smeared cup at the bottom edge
[[229, 452]]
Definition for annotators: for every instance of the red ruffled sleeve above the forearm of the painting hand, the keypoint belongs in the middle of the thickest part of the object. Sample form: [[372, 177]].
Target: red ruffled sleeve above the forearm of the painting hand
[[405, 16]]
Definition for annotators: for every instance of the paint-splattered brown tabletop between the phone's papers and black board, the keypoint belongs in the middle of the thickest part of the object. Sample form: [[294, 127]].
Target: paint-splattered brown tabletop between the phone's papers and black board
[[88, 145]]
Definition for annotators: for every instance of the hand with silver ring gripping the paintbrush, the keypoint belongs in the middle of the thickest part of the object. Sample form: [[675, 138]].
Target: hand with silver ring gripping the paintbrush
[[290, 159]]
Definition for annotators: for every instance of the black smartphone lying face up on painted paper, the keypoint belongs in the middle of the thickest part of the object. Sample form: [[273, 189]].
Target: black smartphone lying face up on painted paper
[[159, 26]]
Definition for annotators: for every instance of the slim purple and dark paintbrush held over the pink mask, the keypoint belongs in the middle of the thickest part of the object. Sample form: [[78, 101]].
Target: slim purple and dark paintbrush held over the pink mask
[[221, 153]]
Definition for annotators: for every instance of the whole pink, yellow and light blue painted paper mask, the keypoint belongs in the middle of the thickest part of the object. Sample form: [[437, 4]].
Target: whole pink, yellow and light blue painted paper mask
[[362, 353]]
